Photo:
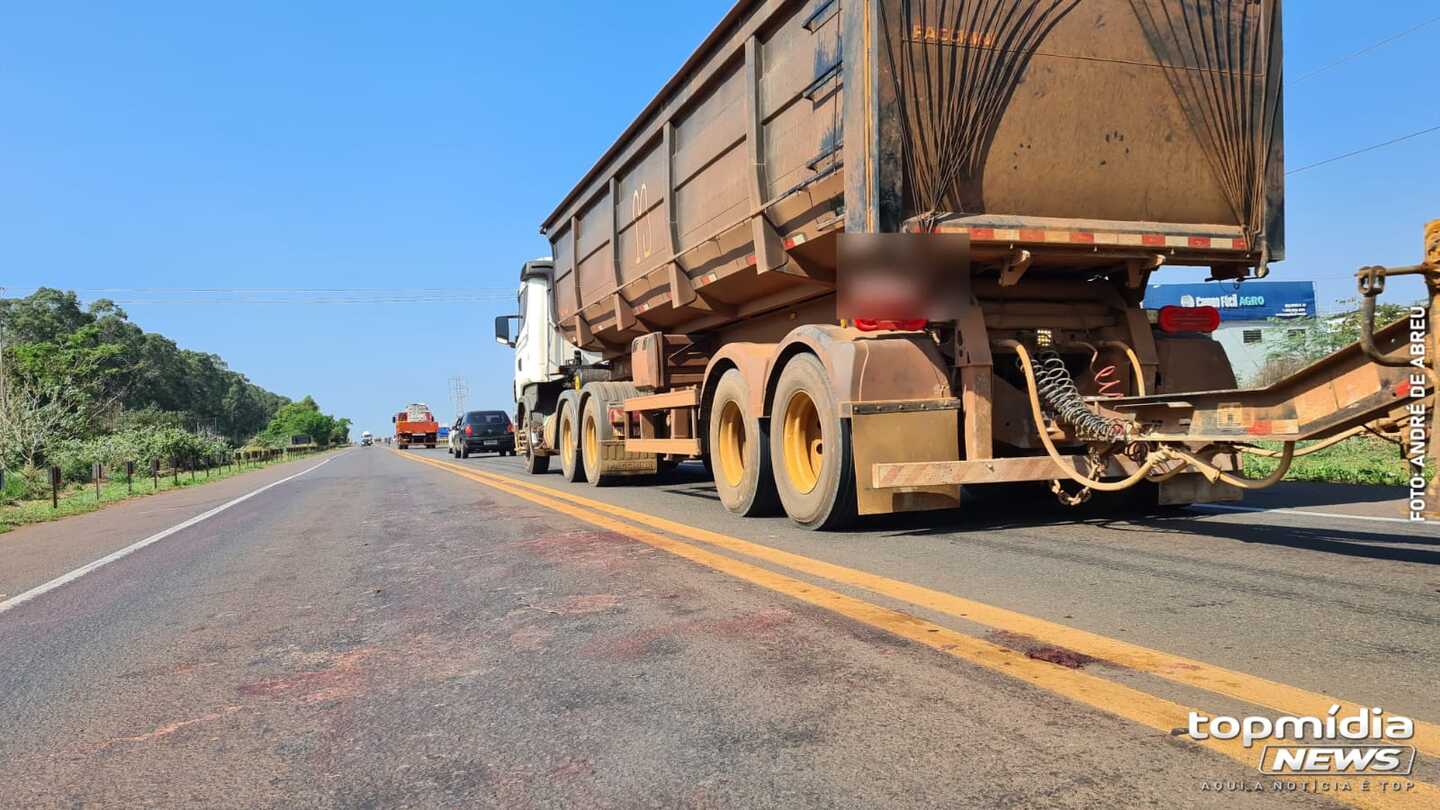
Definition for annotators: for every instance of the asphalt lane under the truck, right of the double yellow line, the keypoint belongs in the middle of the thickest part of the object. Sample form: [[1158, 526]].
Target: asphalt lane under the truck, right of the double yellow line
[[1321, 603]]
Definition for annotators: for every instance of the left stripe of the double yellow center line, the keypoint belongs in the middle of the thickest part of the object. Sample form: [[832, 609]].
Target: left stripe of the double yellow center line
[[1084, 688]]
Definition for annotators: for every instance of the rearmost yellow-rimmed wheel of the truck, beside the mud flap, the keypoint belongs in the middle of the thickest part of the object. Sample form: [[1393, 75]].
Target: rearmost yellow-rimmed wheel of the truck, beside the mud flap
[[810, 446]]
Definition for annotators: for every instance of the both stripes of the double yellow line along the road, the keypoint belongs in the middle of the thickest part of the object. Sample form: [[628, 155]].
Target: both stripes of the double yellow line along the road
[[1089, 690]]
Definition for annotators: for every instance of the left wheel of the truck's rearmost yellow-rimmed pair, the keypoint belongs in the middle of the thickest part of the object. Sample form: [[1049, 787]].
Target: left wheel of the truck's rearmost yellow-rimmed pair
[[741, 450]]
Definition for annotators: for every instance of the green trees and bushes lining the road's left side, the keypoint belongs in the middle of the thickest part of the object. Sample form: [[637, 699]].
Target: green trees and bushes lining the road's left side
[[86, 383]]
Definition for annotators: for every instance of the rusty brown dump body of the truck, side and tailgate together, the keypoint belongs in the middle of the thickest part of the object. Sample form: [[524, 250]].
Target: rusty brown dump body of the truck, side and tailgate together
[[1092, 132]]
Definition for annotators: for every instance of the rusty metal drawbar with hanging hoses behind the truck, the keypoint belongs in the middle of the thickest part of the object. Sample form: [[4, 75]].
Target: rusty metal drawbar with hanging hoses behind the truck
[[1383, 384]]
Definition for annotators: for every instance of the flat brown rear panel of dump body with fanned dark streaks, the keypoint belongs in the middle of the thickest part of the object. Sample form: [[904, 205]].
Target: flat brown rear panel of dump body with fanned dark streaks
[[1112, 110]]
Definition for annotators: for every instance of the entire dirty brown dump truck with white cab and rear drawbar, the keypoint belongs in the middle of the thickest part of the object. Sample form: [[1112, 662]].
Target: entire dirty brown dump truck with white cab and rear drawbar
[[732, 276]]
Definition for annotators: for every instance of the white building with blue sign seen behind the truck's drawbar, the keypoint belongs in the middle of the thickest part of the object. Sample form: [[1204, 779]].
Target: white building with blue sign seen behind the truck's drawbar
[[1249, 315]]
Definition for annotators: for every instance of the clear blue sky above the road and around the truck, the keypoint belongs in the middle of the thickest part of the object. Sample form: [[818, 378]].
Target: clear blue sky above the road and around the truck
[[338, 145]]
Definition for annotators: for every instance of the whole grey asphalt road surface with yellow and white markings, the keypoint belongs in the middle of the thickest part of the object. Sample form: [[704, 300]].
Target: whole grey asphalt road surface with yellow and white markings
[[411, 631]]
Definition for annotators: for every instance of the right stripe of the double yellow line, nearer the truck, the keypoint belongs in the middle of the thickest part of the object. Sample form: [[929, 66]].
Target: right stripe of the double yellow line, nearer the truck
[[1249, 688]]
